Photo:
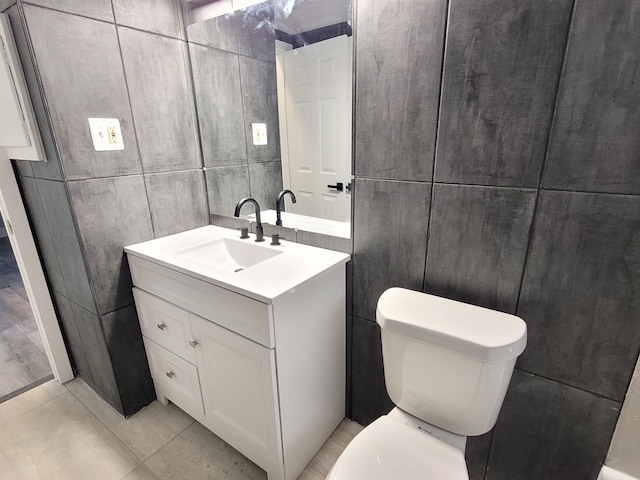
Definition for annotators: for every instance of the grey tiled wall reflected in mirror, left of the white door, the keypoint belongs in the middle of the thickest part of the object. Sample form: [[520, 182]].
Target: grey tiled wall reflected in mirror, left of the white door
[[235, 86]]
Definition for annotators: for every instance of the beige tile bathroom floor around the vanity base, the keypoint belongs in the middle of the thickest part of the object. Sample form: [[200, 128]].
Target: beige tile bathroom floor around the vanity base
[[68, 432]]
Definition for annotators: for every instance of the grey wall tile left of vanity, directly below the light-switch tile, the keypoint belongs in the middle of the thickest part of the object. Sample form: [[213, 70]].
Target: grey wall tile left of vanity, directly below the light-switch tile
[[111, 214]]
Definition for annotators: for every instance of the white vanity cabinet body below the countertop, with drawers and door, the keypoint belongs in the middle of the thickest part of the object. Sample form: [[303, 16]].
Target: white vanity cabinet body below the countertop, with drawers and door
[[267, 376]]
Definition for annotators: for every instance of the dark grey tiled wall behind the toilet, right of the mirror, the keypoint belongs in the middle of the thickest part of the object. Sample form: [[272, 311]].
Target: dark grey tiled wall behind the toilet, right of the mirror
[[507, 225]]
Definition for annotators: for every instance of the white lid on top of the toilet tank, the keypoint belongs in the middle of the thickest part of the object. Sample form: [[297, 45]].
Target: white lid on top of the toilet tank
[[486, 335]]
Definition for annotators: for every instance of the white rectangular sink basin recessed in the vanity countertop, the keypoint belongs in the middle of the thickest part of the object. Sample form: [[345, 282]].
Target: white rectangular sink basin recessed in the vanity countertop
[[227, 254]]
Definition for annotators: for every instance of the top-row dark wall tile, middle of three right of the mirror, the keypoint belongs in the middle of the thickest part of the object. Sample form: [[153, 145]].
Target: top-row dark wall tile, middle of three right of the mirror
[[501, 69]]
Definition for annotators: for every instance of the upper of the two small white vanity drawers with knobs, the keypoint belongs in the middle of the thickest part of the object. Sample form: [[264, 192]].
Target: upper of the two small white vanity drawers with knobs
[[165, 324]]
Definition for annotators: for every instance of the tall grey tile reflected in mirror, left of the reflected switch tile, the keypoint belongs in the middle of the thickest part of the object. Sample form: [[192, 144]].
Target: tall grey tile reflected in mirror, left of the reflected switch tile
[[216, 75]]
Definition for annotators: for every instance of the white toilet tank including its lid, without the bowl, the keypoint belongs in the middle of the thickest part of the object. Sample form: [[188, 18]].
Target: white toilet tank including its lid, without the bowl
[[446, 362]]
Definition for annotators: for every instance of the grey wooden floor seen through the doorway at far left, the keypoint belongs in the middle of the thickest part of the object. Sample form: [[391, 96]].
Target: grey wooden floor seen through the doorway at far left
[[23, 362]]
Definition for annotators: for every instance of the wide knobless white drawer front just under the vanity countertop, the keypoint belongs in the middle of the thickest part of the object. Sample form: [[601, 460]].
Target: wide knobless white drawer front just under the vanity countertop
[[243, 315]]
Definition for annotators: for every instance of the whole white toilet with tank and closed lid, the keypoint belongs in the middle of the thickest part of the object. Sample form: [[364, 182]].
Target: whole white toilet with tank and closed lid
[[447, 366]]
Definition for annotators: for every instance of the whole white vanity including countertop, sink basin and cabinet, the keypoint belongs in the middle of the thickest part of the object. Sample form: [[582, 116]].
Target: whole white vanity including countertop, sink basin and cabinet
[[247, 338]]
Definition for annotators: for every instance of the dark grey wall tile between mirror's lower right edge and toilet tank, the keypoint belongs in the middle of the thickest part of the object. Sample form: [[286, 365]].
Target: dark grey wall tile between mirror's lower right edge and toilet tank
[[390, 239]]
